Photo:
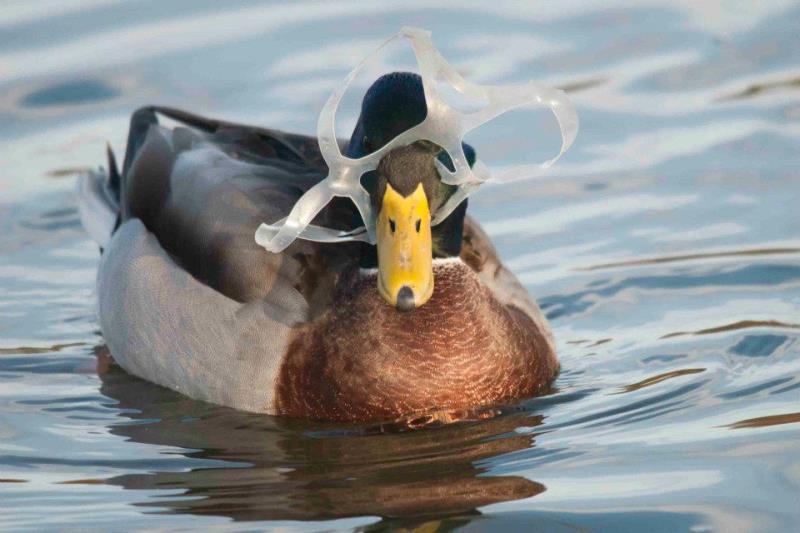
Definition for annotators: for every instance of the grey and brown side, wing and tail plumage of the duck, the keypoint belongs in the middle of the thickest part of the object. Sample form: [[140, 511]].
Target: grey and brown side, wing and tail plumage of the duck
[[213, 318]]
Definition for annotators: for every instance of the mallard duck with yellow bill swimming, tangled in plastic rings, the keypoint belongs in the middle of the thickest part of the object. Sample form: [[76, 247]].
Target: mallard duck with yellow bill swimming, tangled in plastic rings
[[427, 320]]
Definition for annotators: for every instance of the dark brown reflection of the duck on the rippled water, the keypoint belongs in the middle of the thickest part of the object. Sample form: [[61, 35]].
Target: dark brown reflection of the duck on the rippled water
[[291, 470]]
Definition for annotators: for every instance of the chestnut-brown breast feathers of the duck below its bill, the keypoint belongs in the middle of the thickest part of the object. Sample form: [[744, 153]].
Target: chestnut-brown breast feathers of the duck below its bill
[[365, 361]]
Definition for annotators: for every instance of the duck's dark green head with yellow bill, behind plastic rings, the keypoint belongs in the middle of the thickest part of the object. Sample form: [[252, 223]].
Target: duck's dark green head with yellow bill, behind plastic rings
[[406, 192]]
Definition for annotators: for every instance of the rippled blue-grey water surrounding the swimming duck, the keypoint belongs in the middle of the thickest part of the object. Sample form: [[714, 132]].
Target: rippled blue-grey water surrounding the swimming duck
[[664, 248]]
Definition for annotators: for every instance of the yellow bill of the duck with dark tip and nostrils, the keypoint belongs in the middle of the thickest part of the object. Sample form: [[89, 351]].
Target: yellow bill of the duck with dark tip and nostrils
[[405, 257]]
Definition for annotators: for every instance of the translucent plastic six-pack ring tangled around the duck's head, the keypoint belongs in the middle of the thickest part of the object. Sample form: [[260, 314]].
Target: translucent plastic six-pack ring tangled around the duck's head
[[443, 125]]
